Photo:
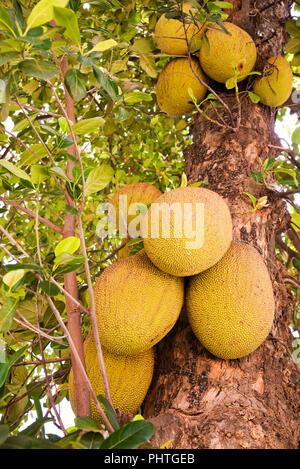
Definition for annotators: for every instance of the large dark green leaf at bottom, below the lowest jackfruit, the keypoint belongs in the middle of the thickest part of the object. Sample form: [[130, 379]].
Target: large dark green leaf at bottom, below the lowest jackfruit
[[129, 436]]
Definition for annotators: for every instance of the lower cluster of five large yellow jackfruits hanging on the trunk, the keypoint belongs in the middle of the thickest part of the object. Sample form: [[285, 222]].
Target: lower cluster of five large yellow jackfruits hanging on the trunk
[[187, 242]]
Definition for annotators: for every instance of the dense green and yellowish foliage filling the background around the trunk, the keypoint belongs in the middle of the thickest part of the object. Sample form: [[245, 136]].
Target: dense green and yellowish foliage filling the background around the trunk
[[102, 54]]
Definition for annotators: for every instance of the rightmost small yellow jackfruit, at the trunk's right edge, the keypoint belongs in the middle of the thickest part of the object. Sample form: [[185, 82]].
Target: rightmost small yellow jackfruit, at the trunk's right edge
[[276, 86]]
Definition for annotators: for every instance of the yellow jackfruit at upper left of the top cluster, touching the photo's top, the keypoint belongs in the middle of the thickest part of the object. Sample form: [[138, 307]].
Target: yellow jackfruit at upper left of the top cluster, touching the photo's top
[[171, 37]]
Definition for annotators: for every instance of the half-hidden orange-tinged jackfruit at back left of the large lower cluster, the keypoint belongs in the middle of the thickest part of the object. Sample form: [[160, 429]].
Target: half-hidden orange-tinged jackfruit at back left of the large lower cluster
[[127, 199]]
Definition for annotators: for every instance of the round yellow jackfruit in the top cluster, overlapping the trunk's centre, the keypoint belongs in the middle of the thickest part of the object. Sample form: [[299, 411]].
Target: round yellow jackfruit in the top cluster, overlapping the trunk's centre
[[226, 52]]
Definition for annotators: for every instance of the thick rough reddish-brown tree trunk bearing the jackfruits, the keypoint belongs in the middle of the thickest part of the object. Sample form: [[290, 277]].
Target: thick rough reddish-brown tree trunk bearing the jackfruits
[[196, 399]]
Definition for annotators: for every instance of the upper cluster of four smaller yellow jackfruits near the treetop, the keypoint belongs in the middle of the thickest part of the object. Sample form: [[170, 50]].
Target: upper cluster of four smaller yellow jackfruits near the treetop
[[221, 53]]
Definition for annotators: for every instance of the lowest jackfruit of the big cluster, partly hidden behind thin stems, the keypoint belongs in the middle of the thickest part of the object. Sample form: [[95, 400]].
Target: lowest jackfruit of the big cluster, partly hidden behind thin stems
[[129, 378]]
